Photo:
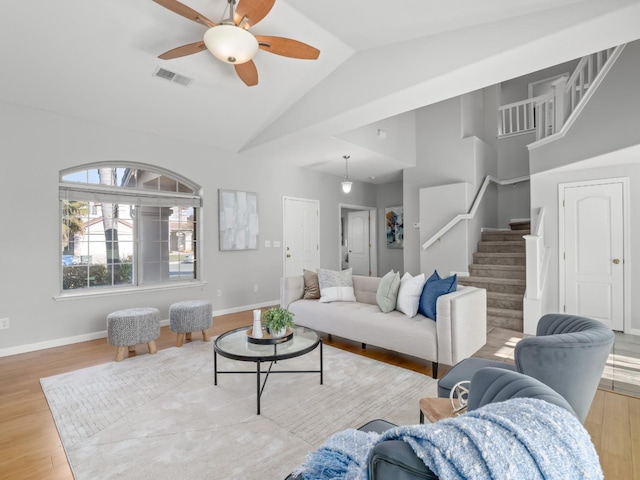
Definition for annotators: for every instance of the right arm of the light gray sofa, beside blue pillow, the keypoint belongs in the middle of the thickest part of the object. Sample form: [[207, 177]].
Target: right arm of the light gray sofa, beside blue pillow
[[461, 324]]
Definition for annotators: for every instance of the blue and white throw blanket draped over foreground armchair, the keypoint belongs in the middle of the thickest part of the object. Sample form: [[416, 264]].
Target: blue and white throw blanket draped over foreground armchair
[[516, 439]]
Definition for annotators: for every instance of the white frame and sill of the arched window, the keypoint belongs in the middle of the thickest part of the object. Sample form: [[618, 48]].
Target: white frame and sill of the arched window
[[139, 197]]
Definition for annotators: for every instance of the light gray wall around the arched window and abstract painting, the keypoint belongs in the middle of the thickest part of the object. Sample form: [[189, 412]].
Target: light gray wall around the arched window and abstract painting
[[36, 145]]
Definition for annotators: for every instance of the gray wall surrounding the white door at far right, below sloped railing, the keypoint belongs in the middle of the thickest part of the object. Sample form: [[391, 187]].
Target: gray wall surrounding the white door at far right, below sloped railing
[[604, 142]]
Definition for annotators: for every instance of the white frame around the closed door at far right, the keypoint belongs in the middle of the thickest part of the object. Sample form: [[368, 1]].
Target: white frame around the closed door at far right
[[626, 239]]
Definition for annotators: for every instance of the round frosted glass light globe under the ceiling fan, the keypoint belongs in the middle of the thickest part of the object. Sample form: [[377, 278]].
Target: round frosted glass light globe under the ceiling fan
[[231, 44]]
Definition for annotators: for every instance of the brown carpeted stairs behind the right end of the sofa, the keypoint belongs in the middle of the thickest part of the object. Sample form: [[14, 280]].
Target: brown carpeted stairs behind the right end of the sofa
[[499, 267]]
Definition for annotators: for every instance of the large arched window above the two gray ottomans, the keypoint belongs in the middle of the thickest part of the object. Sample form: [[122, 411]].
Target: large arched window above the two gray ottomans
[[127, 225]]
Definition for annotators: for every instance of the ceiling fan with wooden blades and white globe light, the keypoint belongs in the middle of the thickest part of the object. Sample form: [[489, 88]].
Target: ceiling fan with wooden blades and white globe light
[[231, 42]]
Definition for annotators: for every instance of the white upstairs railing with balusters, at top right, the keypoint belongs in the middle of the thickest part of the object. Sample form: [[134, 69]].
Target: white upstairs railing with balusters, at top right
[[555, 112]]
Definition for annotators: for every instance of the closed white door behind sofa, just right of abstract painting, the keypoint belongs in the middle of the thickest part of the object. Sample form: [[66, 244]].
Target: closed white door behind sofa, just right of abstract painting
[[301, 235]]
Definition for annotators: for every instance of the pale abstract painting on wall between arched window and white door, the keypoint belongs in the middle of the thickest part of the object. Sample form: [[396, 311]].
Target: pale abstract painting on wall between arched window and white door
[[238, 220]]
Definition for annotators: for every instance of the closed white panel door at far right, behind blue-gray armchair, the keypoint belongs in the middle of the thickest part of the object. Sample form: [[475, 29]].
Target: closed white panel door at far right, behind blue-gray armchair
[[593, 252]]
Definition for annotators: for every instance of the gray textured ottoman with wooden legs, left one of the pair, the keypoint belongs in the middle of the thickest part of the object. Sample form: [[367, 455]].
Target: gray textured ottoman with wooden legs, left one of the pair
[[127, 328]]
